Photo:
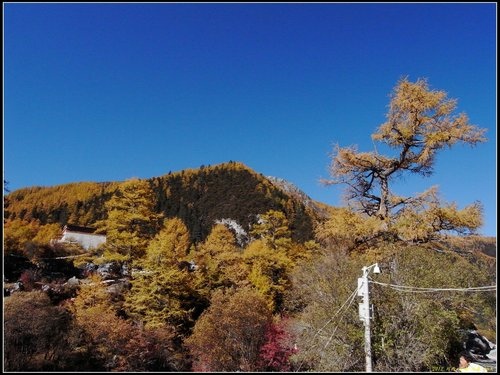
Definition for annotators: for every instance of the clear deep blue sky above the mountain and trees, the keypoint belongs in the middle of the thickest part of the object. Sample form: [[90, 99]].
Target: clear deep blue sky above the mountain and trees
[[110, 91]]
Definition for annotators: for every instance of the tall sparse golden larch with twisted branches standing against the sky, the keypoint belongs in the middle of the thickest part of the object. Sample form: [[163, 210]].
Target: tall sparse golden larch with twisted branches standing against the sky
[[420, 123]]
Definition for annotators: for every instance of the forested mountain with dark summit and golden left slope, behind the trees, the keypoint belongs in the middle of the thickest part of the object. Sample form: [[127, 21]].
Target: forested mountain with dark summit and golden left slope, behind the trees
[[200, 197]]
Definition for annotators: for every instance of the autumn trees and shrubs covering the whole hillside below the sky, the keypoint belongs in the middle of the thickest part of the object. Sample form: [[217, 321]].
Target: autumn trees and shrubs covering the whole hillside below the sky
[[286, 272]]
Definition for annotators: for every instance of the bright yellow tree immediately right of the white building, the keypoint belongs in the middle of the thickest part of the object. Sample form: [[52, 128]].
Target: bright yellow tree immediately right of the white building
[[132, 221]]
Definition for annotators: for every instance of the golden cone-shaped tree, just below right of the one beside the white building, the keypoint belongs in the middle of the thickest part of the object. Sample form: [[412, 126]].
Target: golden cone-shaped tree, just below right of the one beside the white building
[[164, 293]]
